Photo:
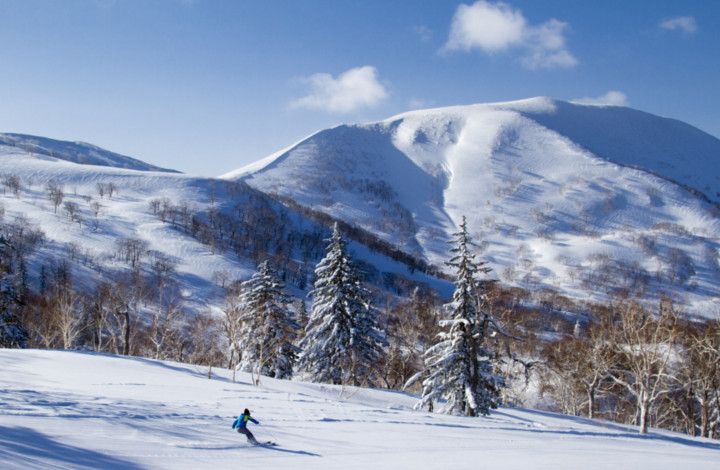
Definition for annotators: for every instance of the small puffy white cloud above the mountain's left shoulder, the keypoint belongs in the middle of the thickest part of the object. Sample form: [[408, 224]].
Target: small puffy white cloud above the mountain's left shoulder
[[353, 89]]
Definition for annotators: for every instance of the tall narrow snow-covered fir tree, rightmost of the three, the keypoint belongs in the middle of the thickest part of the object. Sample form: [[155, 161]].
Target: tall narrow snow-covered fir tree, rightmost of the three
[[459, 368]]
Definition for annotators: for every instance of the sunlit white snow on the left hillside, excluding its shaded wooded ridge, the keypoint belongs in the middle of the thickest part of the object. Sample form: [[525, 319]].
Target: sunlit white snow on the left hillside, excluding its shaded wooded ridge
[[126, 215]]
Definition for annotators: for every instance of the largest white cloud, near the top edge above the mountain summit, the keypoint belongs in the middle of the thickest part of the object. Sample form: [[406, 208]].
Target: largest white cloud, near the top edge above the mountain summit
[[498, 27]]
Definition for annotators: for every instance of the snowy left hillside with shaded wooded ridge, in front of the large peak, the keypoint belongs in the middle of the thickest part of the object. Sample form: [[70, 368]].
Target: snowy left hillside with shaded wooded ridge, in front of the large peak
[[228, 227]]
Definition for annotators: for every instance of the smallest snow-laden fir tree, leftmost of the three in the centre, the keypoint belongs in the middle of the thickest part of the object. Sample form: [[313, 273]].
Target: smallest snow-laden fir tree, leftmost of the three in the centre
[[267, 326]]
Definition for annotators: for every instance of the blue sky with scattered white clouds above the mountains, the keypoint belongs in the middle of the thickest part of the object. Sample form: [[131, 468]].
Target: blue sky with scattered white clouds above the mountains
[[206, 86]]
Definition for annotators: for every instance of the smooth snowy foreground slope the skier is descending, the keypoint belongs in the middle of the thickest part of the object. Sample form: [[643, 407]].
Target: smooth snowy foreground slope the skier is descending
[[86, 411]]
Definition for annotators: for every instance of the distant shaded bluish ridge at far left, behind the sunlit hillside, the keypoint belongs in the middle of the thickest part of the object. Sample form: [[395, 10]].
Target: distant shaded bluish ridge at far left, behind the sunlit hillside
[[76, 152]]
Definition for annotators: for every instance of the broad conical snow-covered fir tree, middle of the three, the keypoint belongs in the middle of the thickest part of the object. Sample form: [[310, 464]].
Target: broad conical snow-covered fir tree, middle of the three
[[343, 339]]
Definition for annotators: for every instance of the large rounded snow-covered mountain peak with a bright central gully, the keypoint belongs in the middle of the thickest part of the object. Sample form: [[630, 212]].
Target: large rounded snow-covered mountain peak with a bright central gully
[[580, 199]]
